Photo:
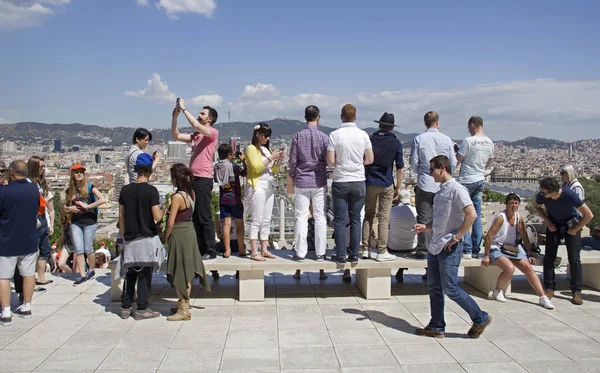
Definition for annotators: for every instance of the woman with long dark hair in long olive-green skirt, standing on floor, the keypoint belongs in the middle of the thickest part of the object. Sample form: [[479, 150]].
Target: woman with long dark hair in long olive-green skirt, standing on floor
[[184, 262]]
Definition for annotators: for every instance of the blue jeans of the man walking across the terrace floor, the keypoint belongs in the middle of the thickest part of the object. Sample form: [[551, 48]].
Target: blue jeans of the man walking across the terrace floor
[[442, 279]]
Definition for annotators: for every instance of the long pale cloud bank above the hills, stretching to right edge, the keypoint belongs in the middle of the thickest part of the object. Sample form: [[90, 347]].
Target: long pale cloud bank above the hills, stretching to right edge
[[552, 108]]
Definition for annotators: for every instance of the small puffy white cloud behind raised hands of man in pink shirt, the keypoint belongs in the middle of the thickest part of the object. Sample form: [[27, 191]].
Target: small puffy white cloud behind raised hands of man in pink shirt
[[157, 90]]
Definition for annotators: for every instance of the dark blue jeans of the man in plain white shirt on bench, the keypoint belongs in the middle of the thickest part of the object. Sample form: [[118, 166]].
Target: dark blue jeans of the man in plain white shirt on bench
[[348, 197]]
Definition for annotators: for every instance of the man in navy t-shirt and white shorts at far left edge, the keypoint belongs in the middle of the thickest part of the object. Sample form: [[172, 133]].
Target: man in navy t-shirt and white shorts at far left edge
[[19, 202]]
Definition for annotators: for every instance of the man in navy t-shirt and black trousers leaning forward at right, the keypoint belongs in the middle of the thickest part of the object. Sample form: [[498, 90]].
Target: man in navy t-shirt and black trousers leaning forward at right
[[565, 215]]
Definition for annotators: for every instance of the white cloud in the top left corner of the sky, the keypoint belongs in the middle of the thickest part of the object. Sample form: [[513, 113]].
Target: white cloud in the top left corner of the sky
[[27, 13]]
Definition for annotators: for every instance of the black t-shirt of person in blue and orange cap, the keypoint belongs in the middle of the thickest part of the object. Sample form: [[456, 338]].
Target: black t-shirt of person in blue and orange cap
[[137, 200]]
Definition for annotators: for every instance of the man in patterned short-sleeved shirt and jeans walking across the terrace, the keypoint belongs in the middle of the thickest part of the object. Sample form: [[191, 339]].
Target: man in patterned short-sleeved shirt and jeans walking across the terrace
[[453, 215]]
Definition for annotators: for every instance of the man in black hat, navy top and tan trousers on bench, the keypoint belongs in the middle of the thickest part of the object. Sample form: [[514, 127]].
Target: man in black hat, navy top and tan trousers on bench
[[387, 149]]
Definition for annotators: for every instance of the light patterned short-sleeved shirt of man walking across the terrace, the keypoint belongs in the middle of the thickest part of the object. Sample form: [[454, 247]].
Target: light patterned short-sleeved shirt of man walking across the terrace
[[448, 215]]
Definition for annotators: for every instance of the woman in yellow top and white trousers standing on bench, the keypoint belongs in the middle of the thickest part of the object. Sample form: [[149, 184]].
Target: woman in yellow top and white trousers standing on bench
[[261, 164]]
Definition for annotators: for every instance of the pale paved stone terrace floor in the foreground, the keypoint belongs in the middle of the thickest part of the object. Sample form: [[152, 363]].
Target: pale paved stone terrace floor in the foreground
[[304, 325]]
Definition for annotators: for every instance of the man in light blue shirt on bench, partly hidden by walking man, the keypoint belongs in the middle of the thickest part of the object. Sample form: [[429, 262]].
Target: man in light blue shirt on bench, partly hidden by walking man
[[427, 145]]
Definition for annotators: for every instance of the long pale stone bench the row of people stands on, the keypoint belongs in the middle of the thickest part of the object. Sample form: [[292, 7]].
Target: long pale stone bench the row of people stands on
[[372, 277]]
